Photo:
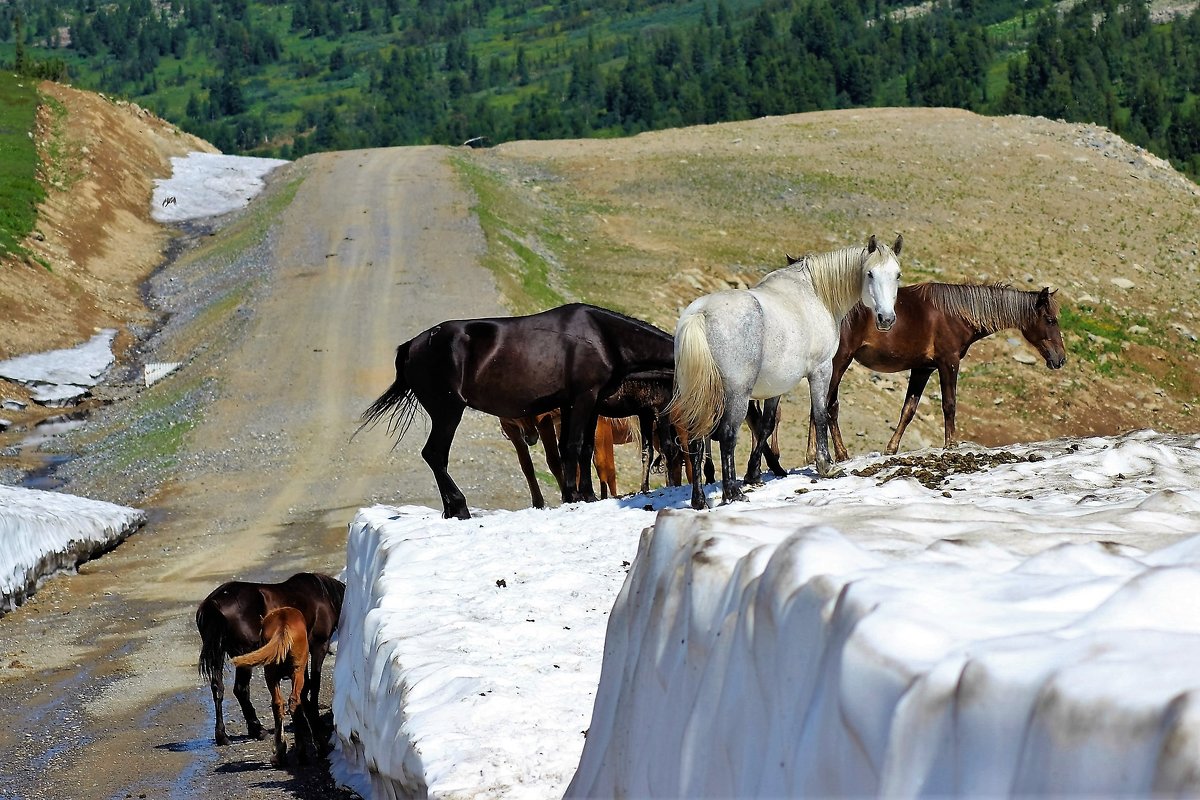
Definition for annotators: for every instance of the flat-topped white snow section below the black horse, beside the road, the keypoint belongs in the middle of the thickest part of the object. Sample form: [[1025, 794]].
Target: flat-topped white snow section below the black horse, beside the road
[[470, 652]]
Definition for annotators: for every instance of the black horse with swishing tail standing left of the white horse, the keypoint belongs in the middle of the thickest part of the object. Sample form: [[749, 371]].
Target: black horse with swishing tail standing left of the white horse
[[568, 358]]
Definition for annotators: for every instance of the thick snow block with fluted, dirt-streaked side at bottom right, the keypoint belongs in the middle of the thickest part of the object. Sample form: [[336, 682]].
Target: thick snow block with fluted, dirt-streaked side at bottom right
[[908, 646]]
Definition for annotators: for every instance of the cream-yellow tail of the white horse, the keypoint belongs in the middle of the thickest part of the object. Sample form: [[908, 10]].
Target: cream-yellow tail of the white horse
[[698, 399]]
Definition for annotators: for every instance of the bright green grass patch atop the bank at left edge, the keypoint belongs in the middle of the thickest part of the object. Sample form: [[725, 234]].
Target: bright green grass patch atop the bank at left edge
[[20, 188]]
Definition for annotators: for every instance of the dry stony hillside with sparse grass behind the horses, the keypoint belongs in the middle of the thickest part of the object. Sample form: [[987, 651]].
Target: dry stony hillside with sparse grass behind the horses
[[649, 224]]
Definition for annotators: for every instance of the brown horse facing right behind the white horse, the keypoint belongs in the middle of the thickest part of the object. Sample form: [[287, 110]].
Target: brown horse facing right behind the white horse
[[937, 324]]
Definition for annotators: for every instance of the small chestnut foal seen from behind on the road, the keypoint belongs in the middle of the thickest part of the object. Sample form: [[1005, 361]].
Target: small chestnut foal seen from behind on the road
[[284, 657]]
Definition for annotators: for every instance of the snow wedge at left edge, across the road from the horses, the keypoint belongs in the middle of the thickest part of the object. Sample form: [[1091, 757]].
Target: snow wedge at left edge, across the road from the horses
[[46, 532]]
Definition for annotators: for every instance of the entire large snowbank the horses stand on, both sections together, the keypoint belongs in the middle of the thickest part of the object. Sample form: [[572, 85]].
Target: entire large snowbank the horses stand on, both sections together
[[1028, 629]]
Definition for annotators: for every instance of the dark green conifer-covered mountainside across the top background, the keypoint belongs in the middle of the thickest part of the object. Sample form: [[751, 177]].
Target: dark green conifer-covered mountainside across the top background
[[286, 79]]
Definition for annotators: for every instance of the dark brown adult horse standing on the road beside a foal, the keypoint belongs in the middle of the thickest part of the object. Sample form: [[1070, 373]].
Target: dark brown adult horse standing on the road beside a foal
[[231, 623]]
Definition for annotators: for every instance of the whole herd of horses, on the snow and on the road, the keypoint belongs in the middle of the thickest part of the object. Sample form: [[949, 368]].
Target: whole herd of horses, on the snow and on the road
[[561, 375]]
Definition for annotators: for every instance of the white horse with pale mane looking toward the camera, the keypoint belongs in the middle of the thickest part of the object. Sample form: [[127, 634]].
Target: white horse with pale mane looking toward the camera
[[761, 342]]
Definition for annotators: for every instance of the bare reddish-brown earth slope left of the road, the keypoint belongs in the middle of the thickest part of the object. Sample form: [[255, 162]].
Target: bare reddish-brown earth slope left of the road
[[94, 230]]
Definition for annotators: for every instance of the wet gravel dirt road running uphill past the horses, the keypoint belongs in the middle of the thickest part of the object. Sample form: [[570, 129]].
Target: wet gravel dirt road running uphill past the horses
[[100, 669]]
